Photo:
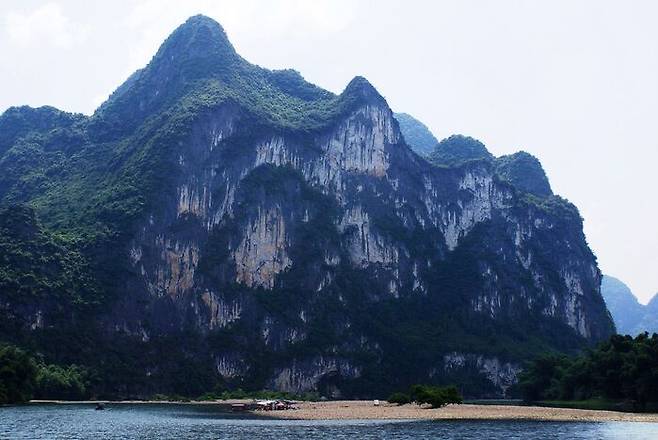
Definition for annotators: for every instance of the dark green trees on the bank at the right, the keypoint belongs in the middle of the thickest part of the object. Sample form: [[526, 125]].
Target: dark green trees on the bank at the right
[[622, 369]]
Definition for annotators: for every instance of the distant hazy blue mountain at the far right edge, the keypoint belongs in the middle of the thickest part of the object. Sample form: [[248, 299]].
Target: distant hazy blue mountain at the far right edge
[[630, 317]]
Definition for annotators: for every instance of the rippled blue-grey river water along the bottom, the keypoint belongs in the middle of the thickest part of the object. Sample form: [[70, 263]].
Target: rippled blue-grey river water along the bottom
[[169, 421]]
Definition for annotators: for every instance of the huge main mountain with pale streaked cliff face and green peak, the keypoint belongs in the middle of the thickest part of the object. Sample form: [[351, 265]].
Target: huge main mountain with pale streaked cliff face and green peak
[[218, 225]]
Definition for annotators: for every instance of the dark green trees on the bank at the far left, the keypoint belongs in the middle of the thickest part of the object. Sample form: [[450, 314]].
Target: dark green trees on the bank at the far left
[[22, 378]]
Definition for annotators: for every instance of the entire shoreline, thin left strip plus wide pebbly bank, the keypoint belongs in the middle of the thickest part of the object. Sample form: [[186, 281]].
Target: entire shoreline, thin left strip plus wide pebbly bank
[[366, 410]]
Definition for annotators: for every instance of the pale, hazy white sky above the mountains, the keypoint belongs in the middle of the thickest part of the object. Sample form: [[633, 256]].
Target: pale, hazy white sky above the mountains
[[574, 82]]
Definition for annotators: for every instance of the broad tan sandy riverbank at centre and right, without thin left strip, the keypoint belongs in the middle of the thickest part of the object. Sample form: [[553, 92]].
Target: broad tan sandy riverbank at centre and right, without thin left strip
[[339, 410]]
